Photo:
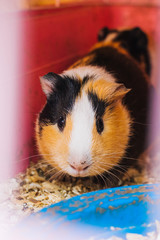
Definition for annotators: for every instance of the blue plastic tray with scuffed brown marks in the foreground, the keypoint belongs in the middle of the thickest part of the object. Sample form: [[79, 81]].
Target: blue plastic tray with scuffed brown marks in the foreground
[[98, 215]]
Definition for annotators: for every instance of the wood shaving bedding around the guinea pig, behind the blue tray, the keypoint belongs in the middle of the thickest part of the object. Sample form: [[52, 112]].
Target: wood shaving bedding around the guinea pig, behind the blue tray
[[34, 189]]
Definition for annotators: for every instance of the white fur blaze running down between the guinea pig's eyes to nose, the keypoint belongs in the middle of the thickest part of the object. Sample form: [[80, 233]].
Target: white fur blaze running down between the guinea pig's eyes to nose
[[81, 135]]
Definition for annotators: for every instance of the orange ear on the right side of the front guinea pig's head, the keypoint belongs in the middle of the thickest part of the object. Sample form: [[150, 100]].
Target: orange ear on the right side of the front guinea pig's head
[[119, 91]]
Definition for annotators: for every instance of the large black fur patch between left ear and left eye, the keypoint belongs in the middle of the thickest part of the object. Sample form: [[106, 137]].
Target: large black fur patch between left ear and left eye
[[60, 101]]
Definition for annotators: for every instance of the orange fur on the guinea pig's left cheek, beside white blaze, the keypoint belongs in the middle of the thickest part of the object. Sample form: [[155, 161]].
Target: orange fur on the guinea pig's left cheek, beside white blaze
[[53, 143]]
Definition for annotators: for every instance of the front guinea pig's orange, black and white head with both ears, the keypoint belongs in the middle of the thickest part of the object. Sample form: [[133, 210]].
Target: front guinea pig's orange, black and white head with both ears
[[83, 130]]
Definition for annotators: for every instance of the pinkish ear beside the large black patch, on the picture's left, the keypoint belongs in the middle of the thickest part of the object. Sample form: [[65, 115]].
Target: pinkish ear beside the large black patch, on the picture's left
[[48, 83]]
